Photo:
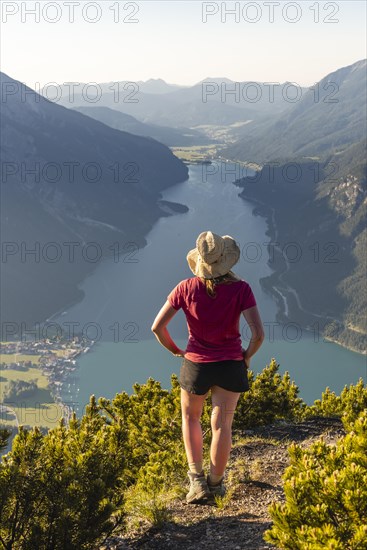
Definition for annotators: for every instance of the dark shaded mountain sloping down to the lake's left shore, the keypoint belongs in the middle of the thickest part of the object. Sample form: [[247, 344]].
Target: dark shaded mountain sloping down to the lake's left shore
[[67, 178]]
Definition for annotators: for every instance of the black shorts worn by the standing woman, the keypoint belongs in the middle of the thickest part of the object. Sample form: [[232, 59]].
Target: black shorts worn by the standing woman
[[198, 378]]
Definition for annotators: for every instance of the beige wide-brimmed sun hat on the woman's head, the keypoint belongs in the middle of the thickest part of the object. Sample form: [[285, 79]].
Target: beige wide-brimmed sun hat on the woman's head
[[213, 256]]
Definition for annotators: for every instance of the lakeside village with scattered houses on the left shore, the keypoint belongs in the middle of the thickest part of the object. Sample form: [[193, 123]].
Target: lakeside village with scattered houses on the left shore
[[56, 359]]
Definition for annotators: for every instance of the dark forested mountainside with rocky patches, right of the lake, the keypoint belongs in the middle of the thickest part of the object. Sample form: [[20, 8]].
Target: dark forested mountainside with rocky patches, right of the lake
[[325, 286]]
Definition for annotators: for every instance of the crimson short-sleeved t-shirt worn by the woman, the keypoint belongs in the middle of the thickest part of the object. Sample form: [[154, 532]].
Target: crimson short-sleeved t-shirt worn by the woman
[[213, 323]]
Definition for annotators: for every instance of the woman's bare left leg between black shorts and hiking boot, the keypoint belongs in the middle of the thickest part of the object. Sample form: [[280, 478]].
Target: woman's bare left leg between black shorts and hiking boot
[[192, 407]]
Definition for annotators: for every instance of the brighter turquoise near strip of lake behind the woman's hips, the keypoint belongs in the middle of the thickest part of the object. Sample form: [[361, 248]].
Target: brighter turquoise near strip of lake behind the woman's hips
[[113, 367]]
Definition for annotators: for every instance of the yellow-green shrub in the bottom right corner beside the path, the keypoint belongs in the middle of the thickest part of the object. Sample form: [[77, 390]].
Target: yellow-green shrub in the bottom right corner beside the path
[[326, 495]]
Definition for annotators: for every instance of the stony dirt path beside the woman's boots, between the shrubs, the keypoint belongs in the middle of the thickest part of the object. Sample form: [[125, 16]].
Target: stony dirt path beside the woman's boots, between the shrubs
[[257, 462]]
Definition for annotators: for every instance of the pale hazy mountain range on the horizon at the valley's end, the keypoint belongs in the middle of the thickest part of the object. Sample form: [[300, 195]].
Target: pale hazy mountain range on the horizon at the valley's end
[[213, 101]]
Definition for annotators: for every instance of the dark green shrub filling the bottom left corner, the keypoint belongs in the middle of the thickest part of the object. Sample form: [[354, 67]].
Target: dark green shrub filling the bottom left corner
[[60, 490]]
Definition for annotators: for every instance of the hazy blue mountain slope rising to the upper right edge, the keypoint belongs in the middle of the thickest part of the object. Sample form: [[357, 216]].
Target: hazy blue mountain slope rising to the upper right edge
[[327, 119]]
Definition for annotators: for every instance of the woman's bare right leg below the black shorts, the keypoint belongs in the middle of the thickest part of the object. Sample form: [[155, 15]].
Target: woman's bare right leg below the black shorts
[[224, 404]]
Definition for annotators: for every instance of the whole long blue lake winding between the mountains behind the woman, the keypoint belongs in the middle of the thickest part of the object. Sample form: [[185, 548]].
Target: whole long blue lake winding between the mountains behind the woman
[[122, 299]]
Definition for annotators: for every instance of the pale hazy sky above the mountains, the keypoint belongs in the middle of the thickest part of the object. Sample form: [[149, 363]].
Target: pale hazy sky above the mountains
[[300, 42]]
